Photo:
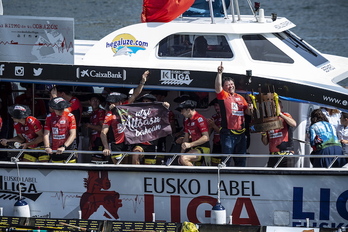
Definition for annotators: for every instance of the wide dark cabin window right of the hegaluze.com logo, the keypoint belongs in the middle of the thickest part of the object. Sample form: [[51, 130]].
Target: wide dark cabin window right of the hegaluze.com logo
[[200, 46]]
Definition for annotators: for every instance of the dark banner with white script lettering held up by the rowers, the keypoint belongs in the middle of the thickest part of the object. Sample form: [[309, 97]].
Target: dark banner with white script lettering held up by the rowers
[[144, 121]]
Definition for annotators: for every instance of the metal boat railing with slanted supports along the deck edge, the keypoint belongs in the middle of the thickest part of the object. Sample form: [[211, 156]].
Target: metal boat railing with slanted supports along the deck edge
[[17, 153]]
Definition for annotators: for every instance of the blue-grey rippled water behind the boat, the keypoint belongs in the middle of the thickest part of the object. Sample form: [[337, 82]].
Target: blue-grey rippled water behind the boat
[[322, 23]]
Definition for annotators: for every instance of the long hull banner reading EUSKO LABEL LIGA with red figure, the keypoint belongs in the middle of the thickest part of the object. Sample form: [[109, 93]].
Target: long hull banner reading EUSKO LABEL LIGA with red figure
[[133, 195]]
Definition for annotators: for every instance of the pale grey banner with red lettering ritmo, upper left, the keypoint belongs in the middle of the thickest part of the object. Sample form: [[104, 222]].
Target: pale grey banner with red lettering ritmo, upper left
[[37, 39]]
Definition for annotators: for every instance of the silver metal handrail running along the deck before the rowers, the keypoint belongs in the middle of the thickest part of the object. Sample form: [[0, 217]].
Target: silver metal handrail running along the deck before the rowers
[[173, 155]]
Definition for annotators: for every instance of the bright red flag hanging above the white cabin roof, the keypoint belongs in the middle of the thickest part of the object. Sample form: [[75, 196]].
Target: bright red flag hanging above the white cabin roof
[[164, 10]]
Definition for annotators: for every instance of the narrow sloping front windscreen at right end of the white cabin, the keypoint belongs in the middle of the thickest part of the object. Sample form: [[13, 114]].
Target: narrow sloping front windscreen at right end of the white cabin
[[302, 48]]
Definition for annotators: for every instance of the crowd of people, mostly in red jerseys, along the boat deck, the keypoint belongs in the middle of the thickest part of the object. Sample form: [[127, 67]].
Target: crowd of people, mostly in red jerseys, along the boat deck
[[228, 128]]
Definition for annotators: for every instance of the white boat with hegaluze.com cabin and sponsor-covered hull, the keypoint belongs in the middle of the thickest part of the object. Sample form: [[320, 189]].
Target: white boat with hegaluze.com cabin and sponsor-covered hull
[[263, 55]]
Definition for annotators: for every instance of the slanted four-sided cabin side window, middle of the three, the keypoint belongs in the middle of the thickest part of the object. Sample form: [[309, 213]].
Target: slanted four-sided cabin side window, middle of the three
[[262, 49]]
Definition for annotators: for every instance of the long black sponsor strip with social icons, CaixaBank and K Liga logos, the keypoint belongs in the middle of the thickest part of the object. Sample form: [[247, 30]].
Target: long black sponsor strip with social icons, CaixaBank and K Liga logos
[[166, 79]]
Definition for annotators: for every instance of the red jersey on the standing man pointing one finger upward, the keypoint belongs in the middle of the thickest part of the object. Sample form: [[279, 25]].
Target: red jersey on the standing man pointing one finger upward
[[232, 110]]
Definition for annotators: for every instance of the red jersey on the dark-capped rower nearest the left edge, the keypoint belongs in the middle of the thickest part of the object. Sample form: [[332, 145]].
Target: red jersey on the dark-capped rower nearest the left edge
[[29, 130]]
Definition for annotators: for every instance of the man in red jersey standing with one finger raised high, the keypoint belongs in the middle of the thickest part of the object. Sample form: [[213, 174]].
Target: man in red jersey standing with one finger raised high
[[233, 108]]
